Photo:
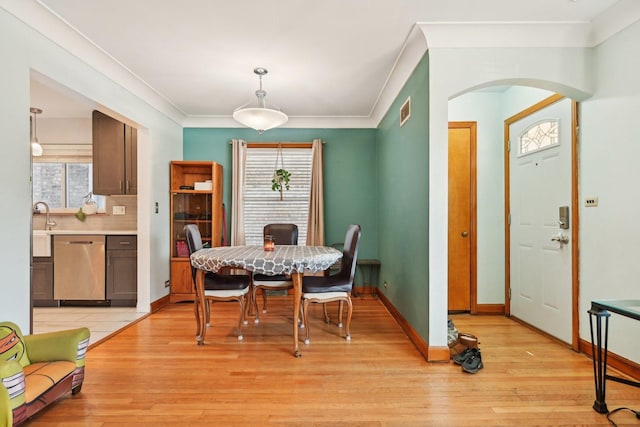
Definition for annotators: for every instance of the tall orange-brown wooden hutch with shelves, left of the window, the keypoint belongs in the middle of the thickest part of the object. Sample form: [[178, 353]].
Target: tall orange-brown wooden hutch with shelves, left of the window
[[196, 198]]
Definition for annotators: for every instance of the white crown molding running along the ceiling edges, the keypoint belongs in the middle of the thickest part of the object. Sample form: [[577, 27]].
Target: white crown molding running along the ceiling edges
[[421, 37]]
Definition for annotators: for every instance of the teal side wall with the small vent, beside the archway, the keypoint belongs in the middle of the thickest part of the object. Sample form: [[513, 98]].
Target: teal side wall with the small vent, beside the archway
[[403, 186]]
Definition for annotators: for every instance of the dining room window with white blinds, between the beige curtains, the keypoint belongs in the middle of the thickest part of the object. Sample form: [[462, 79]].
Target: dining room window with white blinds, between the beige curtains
[[262, 205]]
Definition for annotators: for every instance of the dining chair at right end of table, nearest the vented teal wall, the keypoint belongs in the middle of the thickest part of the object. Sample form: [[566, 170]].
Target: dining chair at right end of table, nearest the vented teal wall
[[334, 287]]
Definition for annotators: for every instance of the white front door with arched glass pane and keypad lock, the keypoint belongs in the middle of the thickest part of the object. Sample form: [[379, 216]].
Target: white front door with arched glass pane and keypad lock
[[540, 183]]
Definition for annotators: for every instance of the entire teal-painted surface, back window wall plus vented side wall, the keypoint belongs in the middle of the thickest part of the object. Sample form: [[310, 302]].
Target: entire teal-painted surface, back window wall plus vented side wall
[[378, 178]]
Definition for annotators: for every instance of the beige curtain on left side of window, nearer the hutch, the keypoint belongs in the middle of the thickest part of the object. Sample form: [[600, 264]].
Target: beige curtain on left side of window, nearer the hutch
[[239, 148]]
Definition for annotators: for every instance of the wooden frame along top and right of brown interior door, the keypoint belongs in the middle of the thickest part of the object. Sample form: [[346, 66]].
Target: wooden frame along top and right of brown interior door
[[473, 257]]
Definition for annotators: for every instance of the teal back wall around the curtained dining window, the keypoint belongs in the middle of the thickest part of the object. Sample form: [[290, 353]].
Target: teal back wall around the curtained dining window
[[350, 175]]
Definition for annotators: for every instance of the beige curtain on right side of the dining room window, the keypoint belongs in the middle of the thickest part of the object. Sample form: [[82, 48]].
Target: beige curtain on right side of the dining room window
[[315, 226]]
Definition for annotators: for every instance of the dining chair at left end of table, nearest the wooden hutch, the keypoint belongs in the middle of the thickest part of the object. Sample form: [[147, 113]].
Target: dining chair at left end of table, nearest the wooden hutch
[[217, 287]]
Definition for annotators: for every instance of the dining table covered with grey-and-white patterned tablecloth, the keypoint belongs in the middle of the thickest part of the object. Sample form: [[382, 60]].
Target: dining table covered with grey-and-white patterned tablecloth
[[282, 259]]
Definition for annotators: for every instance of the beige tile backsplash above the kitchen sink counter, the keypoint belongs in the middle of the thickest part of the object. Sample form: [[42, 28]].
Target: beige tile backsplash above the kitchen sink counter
[[106, 221]]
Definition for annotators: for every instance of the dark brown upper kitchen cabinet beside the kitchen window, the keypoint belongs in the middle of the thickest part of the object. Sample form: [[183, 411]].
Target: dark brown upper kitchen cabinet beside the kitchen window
[[115, 148]]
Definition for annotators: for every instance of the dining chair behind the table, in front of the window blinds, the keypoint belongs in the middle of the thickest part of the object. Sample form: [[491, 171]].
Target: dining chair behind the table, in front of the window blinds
[[283, 234]]
